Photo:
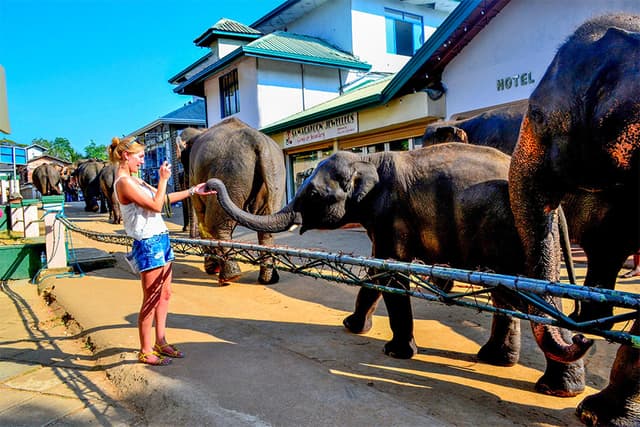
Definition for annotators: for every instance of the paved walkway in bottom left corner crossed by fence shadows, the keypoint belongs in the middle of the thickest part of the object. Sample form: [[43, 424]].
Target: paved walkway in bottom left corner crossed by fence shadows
[[48, 376]]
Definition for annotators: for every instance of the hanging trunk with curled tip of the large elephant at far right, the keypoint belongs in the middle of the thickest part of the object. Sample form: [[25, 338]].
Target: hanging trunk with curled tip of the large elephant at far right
[[534, 211]]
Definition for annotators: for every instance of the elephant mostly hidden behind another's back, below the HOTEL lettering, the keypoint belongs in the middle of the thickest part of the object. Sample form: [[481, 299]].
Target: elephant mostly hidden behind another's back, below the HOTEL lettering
[[498, 128]]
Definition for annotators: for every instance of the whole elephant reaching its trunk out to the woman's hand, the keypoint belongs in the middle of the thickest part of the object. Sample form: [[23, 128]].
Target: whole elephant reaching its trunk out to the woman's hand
[[444, 204]]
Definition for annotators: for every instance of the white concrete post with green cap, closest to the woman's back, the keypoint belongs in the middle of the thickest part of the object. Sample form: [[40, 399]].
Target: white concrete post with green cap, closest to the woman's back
[[55, 239]]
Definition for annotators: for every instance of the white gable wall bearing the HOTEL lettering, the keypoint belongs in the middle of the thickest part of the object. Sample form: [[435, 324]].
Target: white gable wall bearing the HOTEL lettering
[[522, 38]]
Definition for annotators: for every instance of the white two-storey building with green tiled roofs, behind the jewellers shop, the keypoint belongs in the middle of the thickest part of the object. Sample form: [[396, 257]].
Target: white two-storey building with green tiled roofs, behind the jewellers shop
[[304, 53]]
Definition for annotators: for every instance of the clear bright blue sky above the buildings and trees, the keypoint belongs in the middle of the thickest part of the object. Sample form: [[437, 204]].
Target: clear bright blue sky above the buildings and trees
[[88, 70]]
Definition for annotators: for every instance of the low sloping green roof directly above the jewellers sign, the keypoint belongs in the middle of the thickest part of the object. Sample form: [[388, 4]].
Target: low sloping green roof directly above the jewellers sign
[[349, 101]]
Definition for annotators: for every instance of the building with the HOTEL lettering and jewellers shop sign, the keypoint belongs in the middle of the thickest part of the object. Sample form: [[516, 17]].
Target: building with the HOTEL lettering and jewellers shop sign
[[487, 53]]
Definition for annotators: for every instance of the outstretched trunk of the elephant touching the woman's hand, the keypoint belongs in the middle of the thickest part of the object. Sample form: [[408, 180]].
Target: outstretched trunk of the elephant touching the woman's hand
[[274, 223]]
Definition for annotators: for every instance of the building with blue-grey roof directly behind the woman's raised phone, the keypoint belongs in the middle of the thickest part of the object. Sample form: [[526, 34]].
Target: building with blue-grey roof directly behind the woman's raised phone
[[162, 140]]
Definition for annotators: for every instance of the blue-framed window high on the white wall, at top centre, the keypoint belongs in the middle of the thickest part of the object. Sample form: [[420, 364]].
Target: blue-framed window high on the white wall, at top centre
[[404, 32]]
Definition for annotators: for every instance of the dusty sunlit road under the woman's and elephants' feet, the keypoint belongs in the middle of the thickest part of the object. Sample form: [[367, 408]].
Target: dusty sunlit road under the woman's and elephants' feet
[[278, 355]]
